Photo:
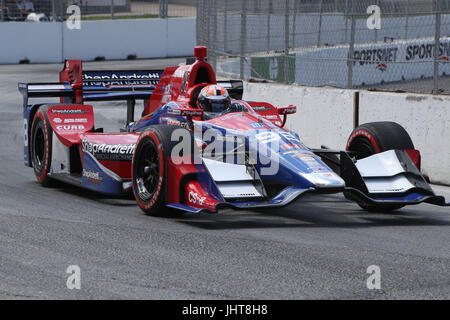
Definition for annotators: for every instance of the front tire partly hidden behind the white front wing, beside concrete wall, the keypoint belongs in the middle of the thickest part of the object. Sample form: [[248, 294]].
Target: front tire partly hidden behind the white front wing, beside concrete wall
[[375, 137]]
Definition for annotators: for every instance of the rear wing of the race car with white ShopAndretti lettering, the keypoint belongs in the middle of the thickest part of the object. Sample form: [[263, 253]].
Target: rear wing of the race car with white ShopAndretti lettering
[[78, 86]]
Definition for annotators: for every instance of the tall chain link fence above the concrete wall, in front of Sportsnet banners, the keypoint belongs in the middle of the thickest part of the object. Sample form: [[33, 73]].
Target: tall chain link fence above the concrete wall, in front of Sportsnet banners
[[382, 44]]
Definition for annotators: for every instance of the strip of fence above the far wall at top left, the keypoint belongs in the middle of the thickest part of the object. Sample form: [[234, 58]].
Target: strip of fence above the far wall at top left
[[56, 10]]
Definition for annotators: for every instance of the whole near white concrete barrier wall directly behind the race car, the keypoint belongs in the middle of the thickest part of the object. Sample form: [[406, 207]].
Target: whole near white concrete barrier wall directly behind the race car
[[325, 117]]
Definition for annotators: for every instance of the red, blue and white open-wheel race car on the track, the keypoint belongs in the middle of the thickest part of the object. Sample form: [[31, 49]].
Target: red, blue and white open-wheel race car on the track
[[182, 157]]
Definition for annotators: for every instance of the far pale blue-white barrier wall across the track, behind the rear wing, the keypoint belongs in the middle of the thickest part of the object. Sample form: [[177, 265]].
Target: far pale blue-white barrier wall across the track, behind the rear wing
[[112, 39]]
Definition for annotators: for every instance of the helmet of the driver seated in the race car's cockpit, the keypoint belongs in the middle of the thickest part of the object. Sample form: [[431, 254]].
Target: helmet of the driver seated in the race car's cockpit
[[213, 99]]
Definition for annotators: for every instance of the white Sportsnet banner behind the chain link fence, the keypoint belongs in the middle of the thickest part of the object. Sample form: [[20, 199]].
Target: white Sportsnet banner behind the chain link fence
[[373, 63]]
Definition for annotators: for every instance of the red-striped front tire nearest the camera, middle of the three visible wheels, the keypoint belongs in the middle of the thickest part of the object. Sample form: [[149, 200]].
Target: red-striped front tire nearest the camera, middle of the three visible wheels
[[149, 169]]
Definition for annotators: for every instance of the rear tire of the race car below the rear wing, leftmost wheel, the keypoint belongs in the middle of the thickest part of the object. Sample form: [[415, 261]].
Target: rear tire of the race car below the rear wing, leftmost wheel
[[41, 146]]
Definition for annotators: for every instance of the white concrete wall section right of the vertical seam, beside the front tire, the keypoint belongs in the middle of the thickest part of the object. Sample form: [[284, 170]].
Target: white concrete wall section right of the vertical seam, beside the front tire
[[425, 117]]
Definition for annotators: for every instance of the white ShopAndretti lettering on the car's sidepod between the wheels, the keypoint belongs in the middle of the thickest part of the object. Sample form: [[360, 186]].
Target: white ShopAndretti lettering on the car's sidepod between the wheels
[[109, 152]]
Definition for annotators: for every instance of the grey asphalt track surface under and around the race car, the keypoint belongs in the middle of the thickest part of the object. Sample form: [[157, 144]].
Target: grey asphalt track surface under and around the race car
[[317, 248]]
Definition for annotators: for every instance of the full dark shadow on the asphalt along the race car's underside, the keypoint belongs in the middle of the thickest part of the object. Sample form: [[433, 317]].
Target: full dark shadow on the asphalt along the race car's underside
[[324, 211]]
